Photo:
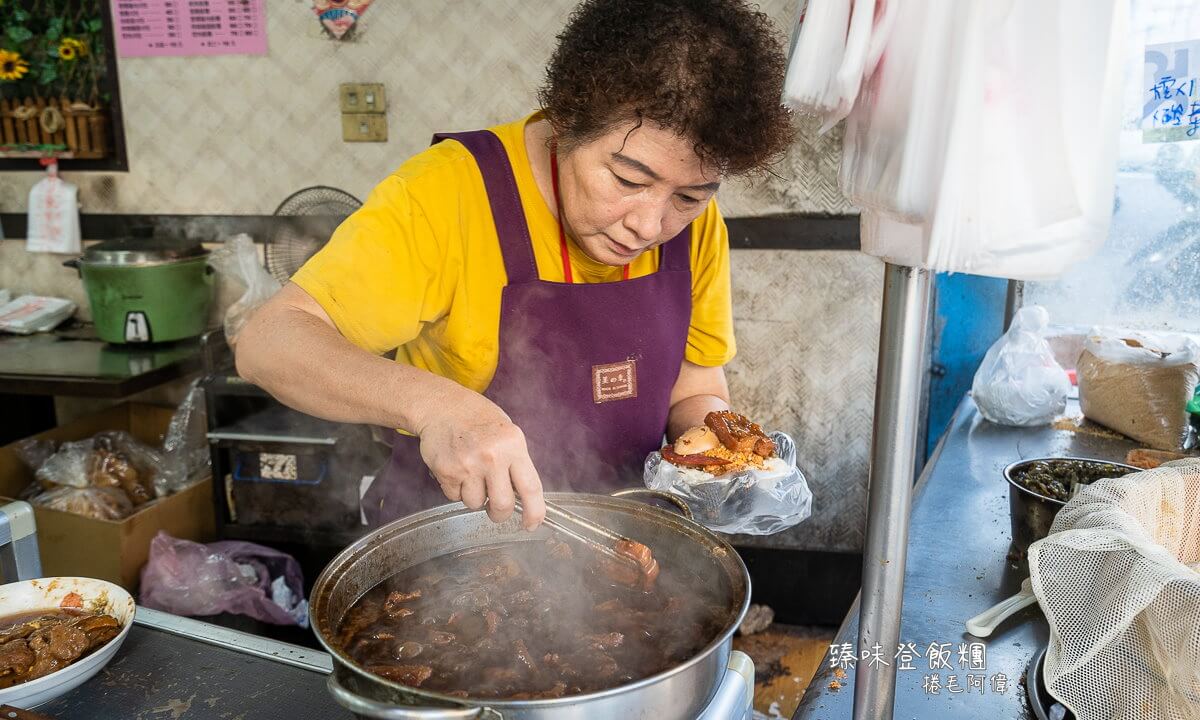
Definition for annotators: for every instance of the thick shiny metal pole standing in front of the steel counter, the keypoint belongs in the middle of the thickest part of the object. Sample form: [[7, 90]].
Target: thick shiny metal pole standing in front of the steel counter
[[904, 327]]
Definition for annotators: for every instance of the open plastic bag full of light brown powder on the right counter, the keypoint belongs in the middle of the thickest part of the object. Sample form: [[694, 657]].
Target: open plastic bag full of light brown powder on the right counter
[[1139, 386]]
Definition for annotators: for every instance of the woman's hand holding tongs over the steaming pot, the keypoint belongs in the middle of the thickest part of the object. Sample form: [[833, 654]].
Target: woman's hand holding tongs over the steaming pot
[[481, 458]]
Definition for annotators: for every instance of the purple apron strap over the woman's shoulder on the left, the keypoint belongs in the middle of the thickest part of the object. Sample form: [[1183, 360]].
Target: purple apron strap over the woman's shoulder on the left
[[508, 215]]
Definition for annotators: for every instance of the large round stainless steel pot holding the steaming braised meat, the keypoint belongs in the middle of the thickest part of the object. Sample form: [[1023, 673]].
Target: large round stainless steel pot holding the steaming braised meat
[[680, 693]]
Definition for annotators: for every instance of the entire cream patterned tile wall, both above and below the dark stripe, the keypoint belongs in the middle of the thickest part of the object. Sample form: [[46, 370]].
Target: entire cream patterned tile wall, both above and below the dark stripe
[[237, 135]]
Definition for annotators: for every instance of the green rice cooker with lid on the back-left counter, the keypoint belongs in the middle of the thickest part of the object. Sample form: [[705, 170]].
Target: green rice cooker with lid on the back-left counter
[[147, 290]]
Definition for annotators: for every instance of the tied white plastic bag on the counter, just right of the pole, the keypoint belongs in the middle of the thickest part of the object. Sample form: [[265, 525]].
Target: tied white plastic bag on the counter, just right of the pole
[[1019, 382]]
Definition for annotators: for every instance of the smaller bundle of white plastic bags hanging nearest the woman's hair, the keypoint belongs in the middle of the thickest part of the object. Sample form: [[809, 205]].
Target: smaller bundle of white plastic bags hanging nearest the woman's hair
[[835, 45]]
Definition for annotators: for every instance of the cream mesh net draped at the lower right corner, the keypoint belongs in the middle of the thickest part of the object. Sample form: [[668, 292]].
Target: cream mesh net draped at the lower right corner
[[1118, 584]]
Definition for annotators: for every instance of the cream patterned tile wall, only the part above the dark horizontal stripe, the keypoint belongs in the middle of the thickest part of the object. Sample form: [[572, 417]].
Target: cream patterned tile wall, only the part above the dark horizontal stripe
[[238, 134]]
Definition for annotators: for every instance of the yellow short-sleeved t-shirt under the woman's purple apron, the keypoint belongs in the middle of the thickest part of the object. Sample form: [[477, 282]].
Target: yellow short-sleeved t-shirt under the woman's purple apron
[[419, 267]]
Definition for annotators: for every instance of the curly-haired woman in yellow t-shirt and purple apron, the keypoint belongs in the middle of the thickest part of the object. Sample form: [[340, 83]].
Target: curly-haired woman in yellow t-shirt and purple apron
[[557, 290]]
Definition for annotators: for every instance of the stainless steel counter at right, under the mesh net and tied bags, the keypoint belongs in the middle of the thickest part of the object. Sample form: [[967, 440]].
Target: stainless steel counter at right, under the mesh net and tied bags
[[957, 567]]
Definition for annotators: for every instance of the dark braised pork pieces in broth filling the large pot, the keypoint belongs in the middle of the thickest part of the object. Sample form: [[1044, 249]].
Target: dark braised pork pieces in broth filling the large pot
[[526, 621]]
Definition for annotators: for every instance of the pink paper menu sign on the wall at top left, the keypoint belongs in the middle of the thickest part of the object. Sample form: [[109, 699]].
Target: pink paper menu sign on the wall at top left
[[153, 28]]
